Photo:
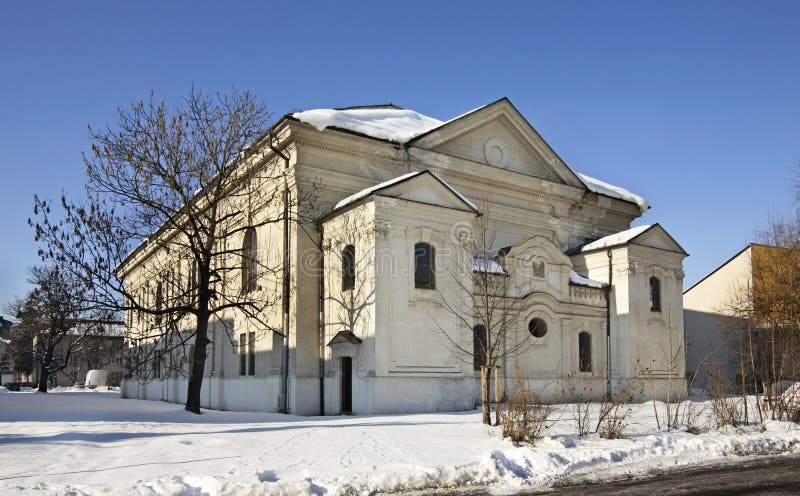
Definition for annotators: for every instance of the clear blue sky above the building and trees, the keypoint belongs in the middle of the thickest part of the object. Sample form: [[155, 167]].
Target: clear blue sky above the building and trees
[[694, 105]]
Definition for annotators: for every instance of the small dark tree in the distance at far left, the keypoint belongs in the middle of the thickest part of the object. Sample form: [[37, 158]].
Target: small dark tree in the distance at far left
[[50, 315]]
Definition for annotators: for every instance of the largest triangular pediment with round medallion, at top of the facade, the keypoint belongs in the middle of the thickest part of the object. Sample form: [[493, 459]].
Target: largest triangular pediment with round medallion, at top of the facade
[[499, 136]]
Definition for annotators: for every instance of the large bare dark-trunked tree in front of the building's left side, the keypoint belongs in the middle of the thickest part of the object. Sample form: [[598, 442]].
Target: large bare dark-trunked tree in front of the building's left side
[[191, 190]]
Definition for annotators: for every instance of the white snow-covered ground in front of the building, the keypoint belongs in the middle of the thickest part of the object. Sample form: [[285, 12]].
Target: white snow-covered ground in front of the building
[[93, 442]]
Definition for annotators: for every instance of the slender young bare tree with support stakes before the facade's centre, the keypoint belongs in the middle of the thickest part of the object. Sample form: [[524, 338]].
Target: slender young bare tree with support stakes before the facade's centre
[[481, 303]]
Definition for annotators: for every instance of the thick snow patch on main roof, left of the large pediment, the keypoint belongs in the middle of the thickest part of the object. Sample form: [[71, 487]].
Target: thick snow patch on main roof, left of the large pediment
[[392, 124]]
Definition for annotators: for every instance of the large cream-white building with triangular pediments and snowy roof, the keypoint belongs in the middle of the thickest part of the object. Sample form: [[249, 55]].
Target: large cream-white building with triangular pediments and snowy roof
[[374, 330]]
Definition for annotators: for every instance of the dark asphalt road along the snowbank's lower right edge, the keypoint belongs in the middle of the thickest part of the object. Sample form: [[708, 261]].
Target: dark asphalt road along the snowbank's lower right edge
[[768, 475]]
